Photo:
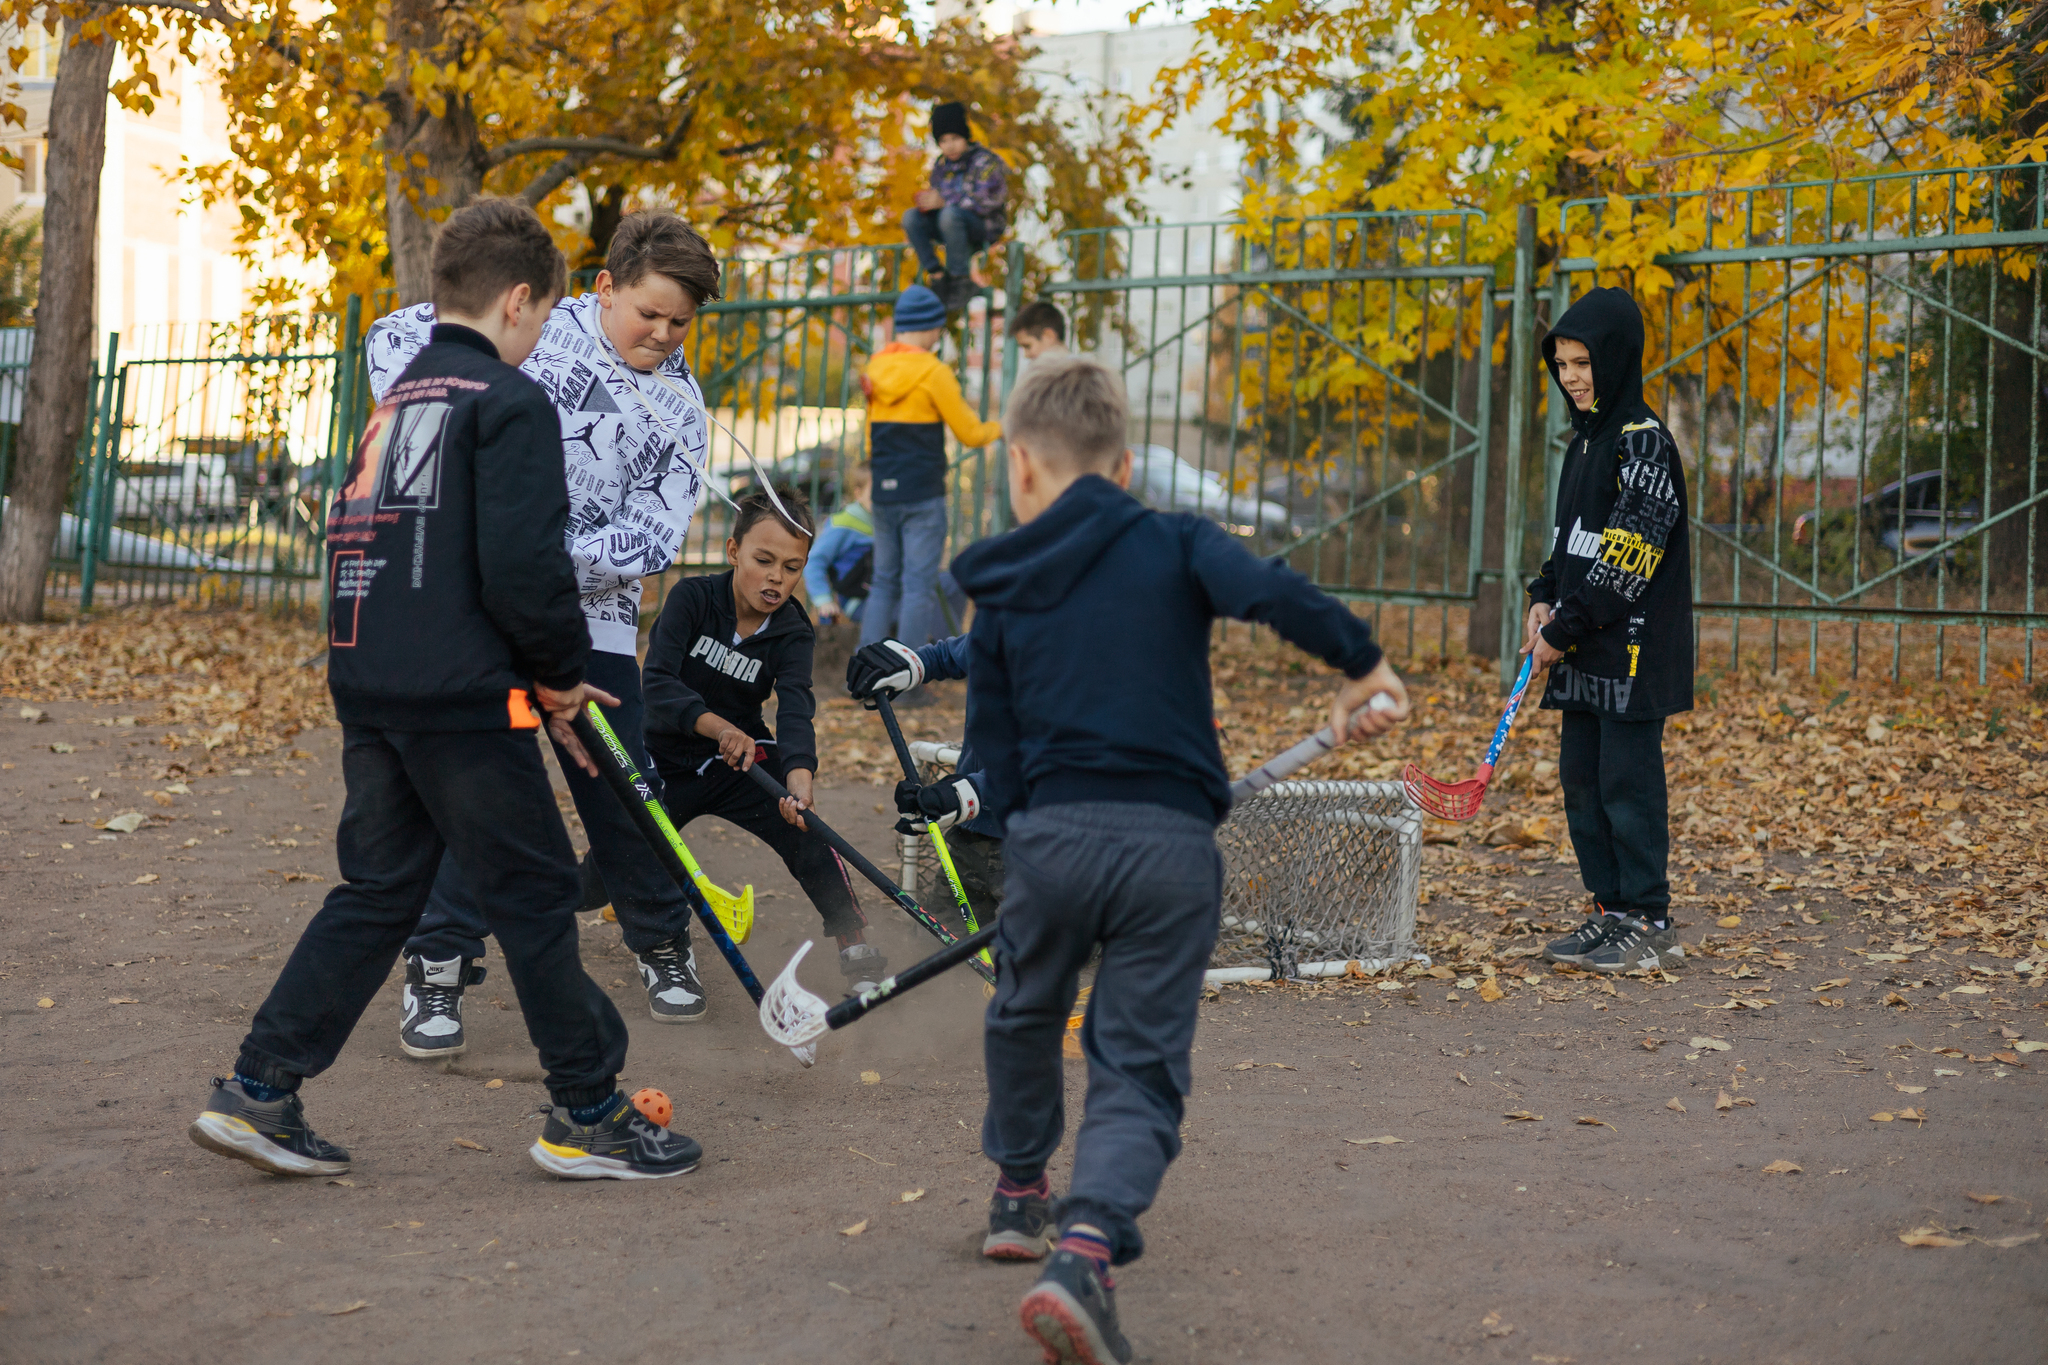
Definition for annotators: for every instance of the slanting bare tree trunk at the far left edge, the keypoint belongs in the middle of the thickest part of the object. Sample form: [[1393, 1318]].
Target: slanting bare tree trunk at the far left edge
[[60, 369]]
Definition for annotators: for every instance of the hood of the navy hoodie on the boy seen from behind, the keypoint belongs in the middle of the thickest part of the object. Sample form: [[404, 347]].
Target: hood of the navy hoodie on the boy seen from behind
[[1035, 566]]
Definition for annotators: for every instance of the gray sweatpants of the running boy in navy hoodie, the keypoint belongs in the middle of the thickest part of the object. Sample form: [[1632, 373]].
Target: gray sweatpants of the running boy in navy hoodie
[[1148, 885]]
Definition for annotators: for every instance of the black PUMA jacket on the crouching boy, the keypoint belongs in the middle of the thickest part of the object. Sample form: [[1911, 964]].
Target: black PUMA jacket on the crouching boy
[[695, 668]]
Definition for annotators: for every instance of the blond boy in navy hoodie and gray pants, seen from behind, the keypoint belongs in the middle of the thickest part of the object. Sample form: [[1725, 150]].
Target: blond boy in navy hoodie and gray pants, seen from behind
[[1089, 703]]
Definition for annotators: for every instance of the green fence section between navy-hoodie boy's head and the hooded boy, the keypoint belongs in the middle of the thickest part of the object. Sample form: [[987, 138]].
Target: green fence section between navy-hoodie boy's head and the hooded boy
[[1324, 390]]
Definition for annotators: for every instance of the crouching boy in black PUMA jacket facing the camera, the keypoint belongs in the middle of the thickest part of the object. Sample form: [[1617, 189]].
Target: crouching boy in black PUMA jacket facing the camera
[[722, 646]]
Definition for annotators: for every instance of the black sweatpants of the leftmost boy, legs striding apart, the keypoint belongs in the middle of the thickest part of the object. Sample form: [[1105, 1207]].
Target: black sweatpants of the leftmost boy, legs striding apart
[[482, 795]]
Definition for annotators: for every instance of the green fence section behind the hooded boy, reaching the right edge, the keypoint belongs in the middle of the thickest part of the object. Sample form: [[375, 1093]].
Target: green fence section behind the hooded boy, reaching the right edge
[[1854, 376]]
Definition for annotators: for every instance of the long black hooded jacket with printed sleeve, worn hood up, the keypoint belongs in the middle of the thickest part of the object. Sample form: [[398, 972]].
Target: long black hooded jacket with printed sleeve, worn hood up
[[1621, 568]]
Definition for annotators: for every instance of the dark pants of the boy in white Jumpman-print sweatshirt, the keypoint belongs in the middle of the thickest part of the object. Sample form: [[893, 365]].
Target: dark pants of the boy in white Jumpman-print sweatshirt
[[620, 869]]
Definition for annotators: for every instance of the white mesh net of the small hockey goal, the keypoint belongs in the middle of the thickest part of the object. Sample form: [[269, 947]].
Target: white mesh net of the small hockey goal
[[1312, 873]]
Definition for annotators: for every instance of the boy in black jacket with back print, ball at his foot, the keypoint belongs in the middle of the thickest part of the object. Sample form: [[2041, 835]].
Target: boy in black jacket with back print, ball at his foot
[[454, 607]]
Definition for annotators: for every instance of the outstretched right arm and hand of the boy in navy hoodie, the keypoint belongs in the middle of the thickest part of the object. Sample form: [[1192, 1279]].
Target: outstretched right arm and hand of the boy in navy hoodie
[[1304, 615]]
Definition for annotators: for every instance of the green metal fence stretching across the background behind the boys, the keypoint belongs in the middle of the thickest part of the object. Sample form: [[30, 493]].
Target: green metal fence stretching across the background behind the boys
[[1852, 371]]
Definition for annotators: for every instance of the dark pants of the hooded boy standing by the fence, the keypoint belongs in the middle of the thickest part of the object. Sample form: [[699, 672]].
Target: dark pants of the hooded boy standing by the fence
[[1617, 811]]
